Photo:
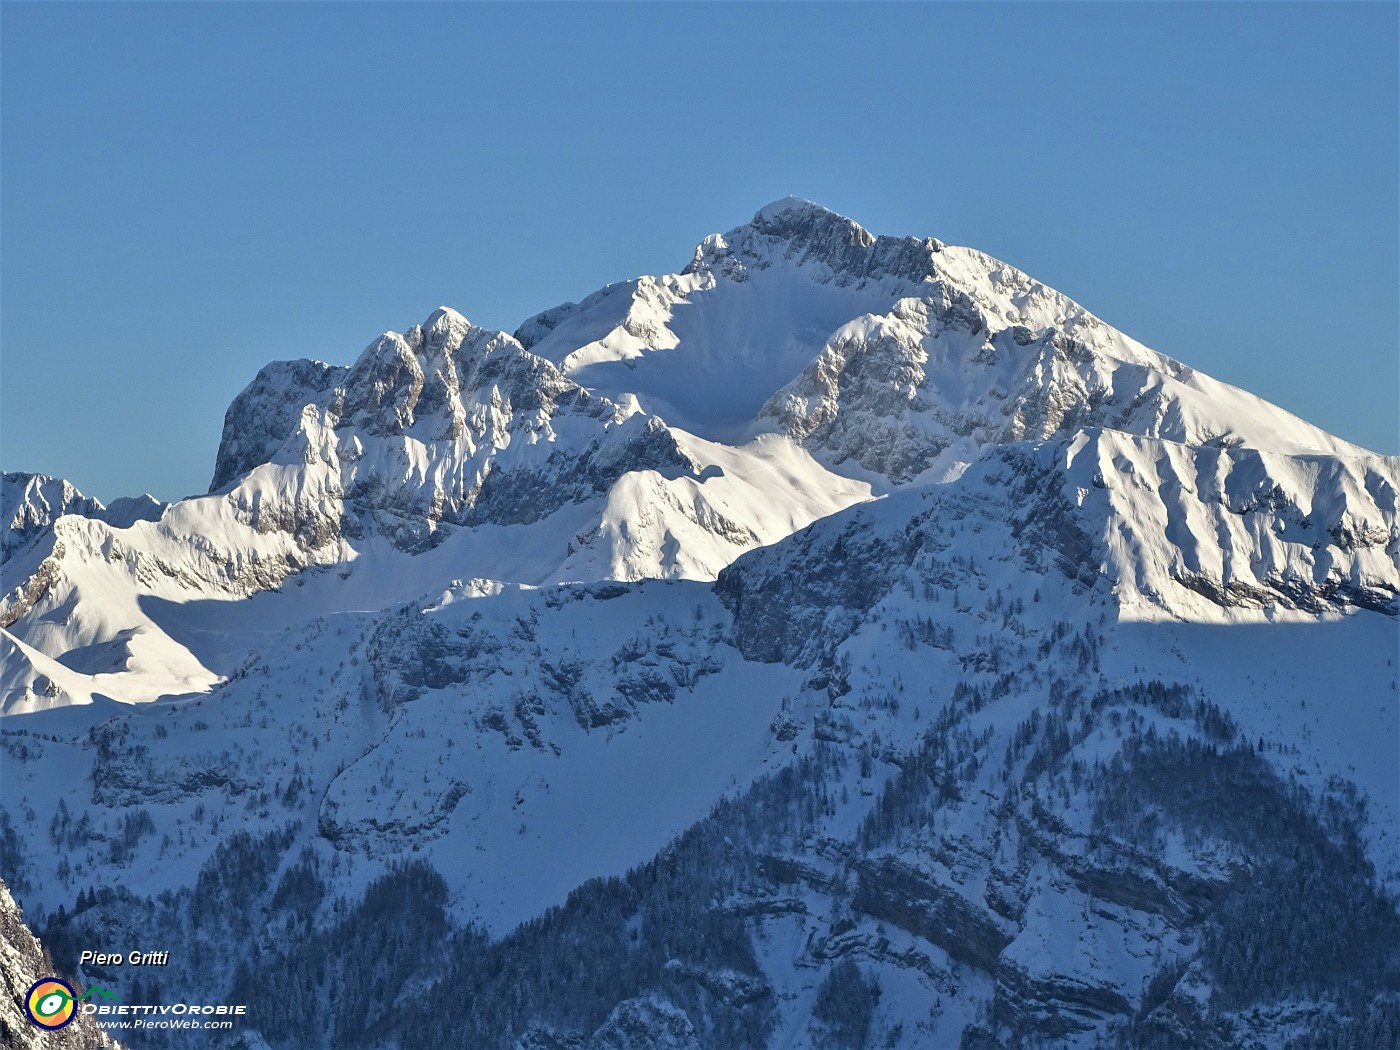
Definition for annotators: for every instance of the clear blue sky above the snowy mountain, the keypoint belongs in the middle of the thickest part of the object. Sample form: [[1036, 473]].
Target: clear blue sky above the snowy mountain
[[191, 191]]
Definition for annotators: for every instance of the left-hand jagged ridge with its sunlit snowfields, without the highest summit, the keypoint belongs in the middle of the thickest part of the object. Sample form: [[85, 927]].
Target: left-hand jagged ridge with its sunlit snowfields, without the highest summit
[[446, 453]]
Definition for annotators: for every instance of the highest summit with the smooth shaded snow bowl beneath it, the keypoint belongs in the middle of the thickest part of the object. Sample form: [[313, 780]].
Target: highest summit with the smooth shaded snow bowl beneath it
[[706, 348]]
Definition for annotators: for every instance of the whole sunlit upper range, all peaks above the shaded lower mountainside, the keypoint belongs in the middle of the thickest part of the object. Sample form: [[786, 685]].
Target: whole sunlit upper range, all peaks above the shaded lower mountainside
[[663, 428]]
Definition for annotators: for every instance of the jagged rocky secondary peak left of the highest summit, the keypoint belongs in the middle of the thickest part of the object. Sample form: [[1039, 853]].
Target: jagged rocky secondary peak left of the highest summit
[[447, 423]]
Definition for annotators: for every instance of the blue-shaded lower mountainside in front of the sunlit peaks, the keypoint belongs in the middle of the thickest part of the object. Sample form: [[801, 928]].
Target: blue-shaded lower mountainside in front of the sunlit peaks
[[856, 699]]
